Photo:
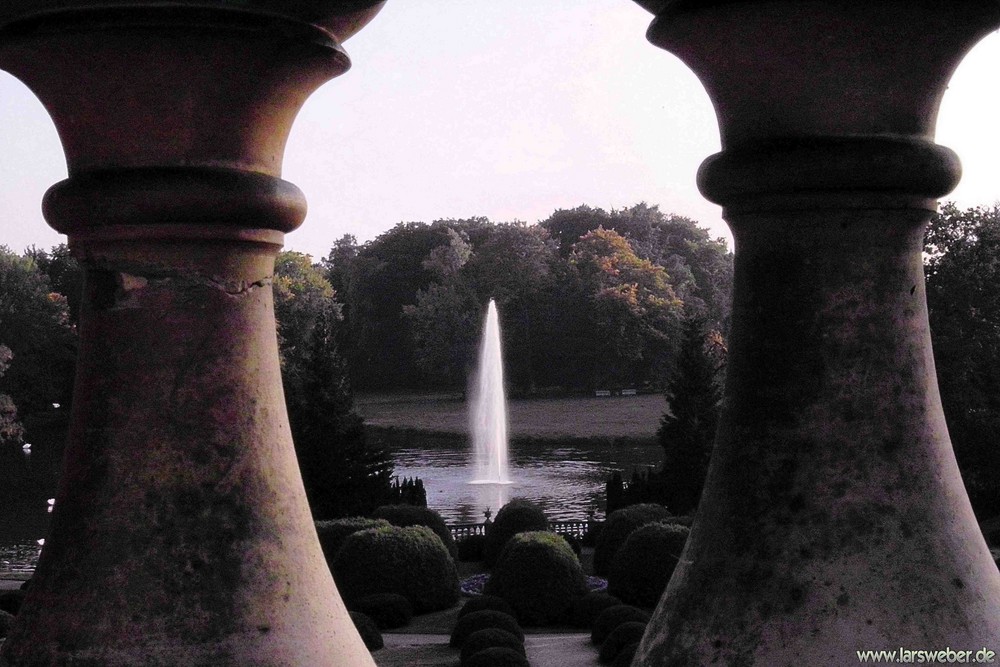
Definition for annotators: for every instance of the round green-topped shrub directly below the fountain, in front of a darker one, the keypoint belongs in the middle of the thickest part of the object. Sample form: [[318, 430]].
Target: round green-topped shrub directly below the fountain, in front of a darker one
[[539, 575]]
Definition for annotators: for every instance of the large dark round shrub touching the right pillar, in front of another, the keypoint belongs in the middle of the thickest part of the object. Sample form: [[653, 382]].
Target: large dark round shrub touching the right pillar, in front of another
[[643, 565]]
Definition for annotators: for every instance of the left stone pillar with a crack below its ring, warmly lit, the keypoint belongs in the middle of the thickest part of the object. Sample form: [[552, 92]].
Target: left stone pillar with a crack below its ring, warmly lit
[[181, 533]]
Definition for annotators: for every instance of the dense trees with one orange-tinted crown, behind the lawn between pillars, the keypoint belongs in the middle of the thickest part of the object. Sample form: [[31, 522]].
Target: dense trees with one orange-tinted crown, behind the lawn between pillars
[[587, 298]]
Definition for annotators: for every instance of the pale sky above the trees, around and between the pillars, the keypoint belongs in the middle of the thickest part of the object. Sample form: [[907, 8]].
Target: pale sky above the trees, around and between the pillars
[[460, 108]]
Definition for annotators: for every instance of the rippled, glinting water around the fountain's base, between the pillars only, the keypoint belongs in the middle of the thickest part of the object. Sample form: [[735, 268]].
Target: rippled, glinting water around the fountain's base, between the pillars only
[[568, 481]]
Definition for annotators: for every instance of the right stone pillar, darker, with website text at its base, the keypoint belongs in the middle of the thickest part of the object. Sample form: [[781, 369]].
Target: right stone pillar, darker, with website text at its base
[[834, 518]]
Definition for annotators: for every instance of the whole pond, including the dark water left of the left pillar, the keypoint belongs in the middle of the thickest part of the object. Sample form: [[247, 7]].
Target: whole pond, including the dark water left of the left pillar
[[565, 476]]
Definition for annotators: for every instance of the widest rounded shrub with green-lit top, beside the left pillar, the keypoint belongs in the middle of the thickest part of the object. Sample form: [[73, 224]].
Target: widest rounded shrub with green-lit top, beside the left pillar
[[409, 561]]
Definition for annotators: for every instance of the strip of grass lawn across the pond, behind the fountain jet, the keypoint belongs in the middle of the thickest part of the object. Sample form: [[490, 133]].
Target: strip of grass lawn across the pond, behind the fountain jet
[[632, 417]]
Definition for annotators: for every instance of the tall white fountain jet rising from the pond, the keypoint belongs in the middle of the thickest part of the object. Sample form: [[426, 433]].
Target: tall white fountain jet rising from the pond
[[488, 414]]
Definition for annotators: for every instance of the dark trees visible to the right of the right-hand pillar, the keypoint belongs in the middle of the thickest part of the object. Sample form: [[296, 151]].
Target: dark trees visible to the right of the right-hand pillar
[[962, 267]]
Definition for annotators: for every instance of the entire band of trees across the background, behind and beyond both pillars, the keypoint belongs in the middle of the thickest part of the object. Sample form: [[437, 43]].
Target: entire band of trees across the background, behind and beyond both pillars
[[588, 298]]
